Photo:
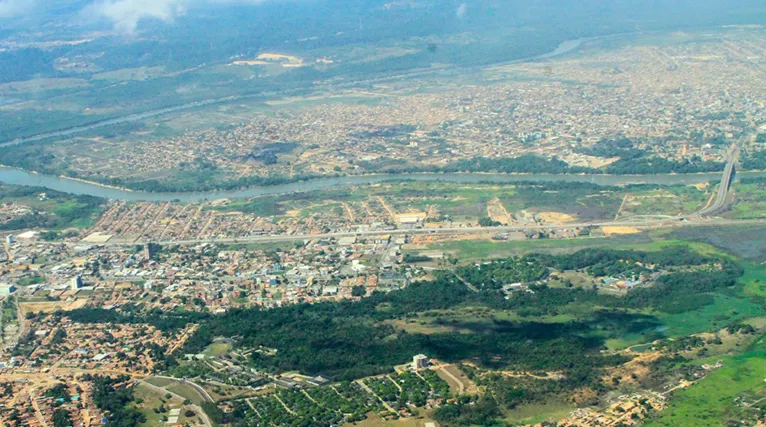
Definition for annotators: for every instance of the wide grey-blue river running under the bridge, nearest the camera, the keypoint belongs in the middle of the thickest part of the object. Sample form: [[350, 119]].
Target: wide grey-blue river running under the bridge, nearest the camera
[[21, 177]]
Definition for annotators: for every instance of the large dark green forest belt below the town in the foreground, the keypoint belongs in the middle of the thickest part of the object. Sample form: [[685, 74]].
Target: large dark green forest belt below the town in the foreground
[[350, 340]]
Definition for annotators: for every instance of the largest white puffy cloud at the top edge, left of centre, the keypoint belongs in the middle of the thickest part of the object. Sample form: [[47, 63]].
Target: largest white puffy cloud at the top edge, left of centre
[[125, 15]]
